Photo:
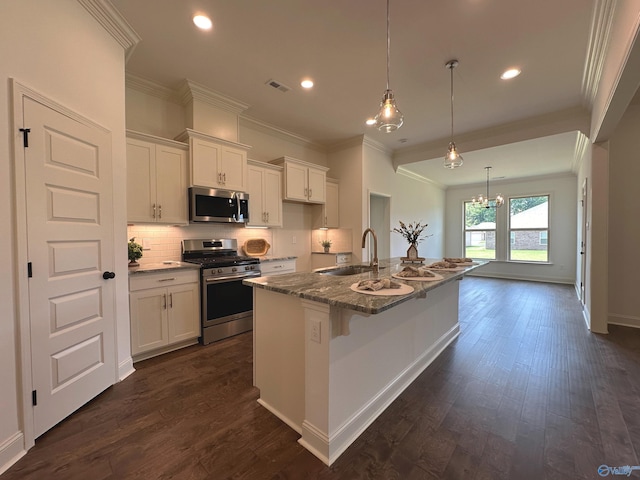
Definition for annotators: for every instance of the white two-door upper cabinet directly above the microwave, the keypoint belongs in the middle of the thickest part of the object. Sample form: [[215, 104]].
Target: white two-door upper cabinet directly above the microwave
[[216, 163]]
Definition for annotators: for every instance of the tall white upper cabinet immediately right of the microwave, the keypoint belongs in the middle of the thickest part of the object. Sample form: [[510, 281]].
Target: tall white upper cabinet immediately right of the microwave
[[265, 194]]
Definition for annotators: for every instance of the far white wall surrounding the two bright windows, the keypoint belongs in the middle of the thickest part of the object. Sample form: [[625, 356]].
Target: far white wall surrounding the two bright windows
[[562, 227]]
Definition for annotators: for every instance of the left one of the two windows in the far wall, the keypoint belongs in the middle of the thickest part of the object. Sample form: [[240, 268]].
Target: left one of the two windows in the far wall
[[479, 231]]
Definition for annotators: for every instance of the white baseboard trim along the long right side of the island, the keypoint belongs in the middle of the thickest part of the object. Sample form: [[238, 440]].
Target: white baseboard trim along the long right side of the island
[[328, 449]]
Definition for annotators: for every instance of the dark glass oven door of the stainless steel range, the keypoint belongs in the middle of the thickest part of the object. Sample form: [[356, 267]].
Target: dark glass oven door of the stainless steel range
[[225, 299]]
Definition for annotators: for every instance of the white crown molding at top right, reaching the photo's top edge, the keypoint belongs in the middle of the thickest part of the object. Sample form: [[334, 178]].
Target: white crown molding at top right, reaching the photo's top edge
[[599, 38]]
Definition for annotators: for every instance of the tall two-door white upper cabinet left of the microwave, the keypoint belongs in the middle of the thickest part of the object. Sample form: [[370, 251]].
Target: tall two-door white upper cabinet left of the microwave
[[156, 179]]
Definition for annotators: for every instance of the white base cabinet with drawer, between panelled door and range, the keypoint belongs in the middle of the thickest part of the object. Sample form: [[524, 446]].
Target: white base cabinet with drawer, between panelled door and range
[[165, 311]]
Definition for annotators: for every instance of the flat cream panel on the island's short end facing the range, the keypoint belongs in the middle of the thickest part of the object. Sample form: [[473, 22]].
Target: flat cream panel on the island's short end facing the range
[[279, 357]]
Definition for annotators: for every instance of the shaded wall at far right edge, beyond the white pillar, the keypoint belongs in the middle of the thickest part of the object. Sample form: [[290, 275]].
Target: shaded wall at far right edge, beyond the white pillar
[[624, 221]]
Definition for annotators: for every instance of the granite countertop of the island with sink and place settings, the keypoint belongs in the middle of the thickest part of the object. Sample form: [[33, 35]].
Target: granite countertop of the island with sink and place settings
[[335, 290]]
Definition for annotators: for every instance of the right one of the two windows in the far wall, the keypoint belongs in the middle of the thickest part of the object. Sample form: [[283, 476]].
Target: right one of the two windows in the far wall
[[529, 229]]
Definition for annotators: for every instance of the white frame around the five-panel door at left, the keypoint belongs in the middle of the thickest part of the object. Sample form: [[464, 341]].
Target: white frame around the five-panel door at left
[[20, 91]]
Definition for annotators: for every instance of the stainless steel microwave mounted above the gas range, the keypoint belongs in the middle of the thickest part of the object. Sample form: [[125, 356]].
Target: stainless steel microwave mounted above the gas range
[[214, 205]]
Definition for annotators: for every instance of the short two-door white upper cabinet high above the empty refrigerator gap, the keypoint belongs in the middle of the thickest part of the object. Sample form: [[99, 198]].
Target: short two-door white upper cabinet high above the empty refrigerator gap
[[303, 181]]
